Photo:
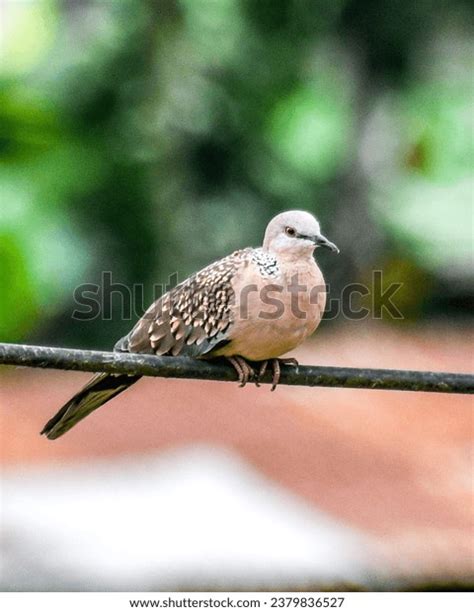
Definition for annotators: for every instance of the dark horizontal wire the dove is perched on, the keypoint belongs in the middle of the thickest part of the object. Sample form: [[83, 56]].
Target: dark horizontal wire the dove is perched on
[[183, 367]]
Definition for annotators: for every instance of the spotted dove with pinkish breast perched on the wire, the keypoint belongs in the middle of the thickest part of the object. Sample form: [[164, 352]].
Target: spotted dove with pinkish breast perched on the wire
[[251, 307]]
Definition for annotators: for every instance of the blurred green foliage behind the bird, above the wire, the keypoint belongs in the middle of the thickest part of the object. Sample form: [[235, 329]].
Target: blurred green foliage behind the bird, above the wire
[[151, 136]]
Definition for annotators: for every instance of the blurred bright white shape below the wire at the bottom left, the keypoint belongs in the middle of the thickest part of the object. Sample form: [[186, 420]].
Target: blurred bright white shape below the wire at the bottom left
[[190, 518]]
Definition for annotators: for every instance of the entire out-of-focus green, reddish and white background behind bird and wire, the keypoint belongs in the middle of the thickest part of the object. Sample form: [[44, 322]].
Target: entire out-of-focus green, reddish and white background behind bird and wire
[[150, 137]]
